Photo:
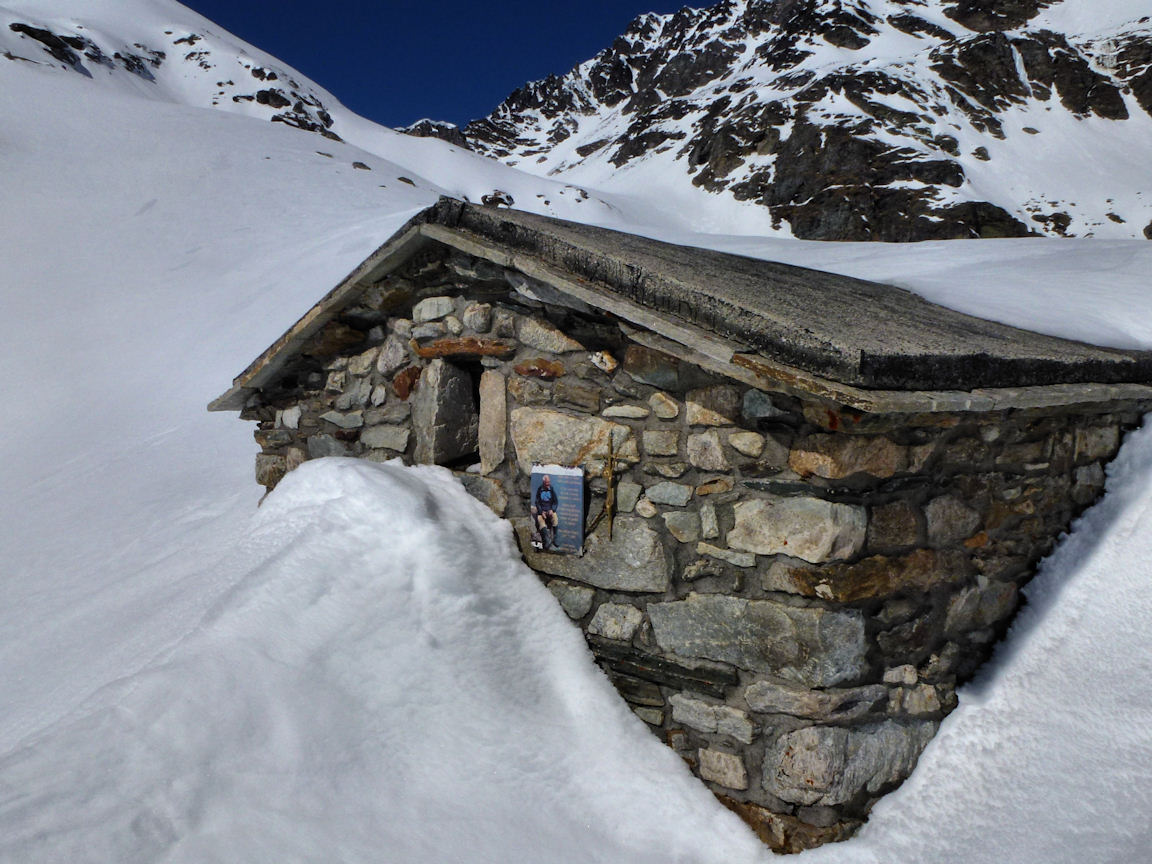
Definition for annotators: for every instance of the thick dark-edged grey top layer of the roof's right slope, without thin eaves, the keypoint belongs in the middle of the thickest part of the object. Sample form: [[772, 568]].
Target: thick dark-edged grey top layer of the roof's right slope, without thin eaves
[[847, 330]]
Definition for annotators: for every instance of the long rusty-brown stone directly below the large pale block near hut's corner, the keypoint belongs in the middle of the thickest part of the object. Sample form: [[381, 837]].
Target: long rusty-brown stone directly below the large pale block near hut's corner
[[881, 577]]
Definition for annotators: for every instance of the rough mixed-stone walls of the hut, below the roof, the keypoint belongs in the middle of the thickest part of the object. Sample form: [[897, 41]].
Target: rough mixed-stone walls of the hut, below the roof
[[792, 592]]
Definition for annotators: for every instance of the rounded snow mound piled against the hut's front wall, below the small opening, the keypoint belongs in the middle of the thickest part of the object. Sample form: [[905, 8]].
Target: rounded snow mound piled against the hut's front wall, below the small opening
[[386, 678]]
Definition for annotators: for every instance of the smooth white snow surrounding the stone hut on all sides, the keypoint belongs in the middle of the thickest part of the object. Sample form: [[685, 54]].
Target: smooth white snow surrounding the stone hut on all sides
[[361, 670]]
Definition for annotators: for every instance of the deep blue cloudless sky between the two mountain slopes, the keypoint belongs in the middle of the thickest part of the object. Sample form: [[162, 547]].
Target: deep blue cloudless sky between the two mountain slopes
[[397, 62]]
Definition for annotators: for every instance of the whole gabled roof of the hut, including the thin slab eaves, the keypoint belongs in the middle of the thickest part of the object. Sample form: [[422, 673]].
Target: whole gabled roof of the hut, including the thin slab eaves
[[843, 338]]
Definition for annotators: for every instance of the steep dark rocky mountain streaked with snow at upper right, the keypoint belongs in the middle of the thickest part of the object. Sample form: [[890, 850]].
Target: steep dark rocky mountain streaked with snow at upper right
[[890, 120]]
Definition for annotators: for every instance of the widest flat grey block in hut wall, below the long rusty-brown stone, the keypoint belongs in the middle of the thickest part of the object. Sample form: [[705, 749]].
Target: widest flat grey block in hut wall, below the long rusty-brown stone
[[814, 647]]
